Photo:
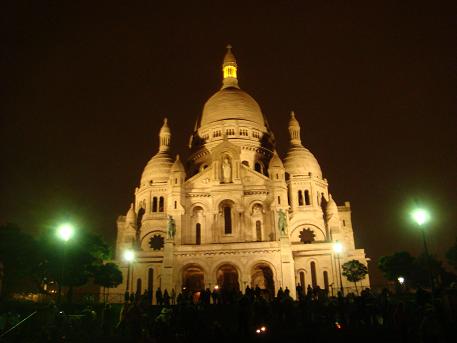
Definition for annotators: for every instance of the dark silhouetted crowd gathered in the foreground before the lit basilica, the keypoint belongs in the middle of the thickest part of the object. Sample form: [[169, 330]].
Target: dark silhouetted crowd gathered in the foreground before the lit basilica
[[255, 314]]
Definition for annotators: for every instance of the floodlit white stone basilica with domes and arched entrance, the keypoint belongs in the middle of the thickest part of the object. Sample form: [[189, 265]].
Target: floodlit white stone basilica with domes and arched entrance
[[234, 213]]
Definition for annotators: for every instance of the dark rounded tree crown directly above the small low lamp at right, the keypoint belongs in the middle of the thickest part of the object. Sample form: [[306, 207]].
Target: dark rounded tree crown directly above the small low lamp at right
[[399, 264]]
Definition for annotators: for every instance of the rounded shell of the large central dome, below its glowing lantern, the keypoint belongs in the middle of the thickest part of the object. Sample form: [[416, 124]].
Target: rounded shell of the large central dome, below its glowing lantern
[[231, 103]]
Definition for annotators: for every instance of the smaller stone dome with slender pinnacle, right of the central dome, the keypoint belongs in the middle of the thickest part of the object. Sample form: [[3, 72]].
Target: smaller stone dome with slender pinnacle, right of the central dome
[[299, 160]]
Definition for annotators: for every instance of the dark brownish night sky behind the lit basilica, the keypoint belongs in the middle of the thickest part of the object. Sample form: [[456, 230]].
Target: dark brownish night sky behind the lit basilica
[[85, 86]]
